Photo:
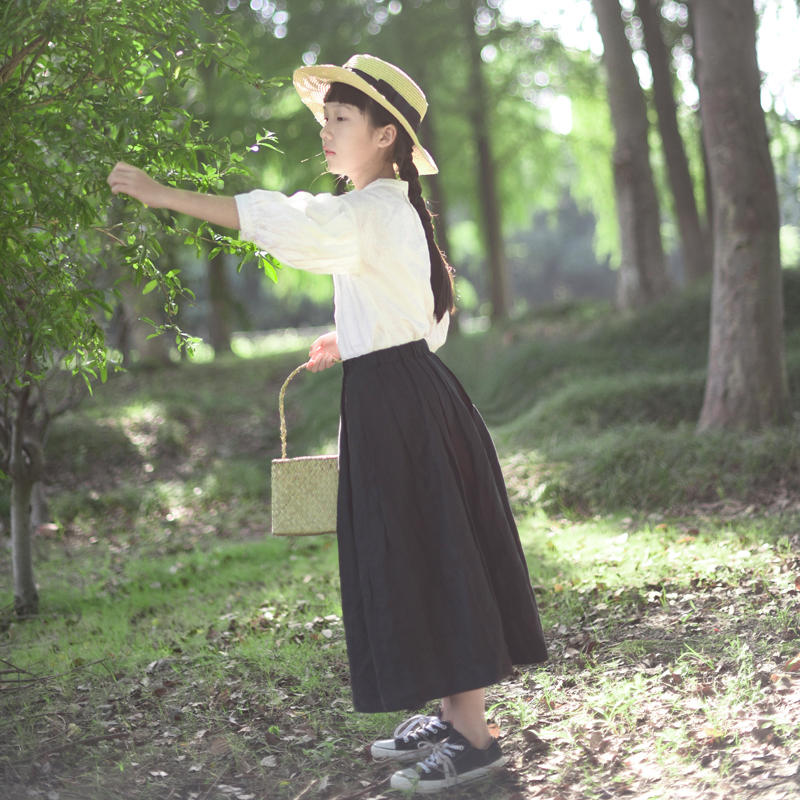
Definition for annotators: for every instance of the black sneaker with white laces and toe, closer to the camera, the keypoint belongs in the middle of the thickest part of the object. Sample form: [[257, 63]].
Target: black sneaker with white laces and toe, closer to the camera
[[452, 762]]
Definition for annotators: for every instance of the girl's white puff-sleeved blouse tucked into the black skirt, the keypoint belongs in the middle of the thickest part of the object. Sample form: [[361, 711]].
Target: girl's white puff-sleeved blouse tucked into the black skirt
[[372, 242]]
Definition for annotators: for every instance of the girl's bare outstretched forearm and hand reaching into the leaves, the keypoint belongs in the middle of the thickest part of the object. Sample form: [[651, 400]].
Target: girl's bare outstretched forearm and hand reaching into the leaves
[[137, 184]]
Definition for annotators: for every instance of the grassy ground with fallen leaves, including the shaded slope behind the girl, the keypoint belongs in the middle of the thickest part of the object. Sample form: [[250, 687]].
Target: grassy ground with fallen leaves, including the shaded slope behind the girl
[[182, 652]]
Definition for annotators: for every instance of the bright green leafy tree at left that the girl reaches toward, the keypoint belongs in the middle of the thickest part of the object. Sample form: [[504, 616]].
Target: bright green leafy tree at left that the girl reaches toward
[[82, 85]]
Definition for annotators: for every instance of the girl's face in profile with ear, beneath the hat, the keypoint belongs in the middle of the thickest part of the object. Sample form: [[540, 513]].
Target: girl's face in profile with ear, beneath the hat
[[353, 147]]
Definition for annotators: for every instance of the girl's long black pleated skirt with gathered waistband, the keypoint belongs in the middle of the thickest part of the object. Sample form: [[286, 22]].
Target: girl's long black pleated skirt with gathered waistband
[[436, 595]]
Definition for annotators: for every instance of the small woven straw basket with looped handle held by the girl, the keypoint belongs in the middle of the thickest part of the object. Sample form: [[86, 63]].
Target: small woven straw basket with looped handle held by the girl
[[304, 489]]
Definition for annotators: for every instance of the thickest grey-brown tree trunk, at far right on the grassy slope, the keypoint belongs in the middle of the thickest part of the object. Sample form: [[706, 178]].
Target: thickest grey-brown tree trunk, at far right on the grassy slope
[[746, 386]]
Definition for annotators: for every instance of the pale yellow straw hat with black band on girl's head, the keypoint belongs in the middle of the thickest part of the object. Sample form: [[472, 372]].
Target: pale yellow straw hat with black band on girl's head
[[383, 82]]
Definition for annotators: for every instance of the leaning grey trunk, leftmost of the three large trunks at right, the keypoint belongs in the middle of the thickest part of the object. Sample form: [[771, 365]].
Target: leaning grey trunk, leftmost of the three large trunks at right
[[642, 274]]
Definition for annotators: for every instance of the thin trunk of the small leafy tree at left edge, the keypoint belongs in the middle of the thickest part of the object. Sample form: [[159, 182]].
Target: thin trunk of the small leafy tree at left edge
[[25, 467]]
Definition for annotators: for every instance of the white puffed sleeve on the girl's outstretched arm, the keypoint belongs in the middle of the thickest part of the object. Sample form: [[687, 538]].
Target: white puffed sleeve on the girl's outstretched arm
[[315, 233]]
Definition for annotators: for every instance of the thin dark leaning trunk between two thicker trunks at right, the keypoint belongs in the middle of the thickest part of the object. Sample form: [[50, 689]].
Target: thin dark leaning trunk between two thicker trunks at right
[[696, 259]]
